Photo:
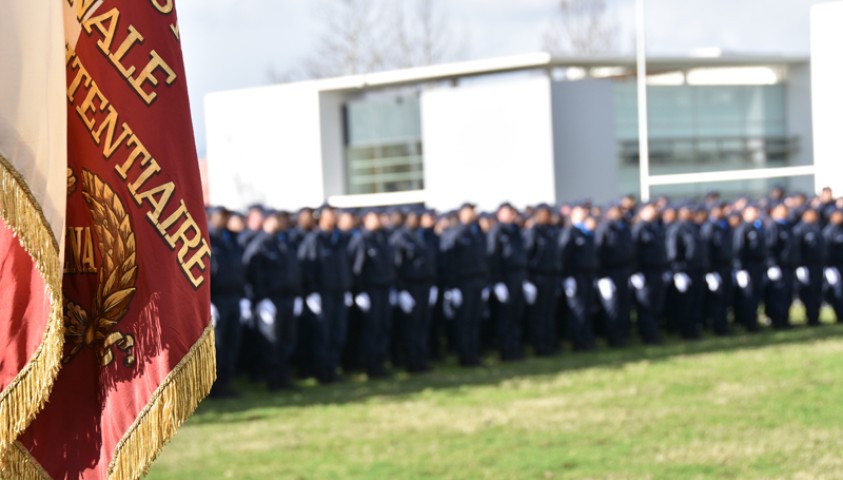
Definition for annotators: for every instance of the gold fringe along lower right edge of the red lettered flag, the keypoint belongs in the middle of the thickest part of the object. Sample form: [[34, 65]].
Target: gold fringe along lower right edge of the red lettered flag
[[174, 400]]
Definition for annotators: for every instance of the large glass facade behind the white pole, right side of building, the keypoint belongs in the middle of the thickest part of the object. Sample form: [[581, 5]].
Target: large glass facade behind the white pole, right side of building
[[703, 129]]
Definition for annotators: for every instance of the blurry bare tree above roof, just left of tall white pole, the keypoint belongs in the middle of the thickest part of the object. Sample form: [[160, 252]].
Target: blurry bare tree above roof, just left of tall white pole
[[582, 27]]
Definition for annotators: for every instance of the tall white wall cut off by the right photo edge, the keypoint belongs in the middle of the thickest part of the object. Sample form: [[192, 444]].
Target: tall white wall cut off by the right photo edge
[[827, 93]]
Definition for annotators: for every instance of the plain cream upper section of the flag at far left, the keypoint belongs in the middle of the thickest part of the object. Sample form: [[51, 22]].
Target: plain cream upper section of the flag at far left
[[33, 118]]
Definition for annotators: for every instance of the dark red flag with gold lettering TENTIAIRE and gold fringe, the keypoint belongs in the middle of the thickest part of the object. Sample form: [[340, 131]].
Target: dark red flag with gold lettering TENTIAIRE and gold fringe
[[139, 349]]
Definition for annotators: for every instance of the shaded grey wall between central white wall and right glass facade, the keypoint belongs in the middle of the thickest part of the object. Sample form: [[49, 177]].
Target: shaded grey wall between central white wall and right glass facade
[[585, 144]]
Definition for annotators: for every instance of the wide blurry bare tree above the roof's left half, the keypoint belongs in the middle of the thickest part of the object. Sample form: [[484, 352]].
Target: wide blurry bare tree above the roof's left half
[[363, 36]]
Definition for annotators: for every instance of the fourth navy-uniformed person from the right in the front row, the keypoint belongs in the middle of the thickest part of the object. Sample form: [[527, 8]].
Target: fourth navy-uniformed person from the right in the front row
[[749, 248]]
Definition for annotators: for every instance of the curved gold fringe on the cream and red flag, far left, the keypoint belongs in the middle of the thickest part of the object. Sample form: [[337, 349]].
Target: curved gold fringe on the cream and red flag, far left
[[27, 393]]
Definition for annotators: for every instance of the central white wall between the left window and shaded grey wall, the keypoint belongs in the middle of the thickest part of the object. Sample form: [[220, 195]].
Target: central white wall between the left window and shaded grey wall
[[488, 143]]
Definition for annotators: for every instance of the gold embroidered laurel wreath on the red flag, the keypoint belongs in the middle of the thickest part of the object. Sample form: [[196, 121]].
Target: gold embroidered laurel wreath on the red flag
[[117, 276]]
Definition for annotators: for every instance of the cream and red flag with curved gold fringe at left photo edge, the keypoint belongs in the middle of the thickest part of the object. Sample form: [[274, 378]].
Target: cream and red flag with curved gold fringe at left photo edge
[[32, 199]]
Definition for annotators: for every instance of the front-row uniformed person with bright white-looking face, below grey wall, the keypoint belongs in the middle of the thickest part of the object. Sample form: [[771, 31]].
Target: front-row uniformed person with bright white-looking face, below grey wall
[[579, 273]]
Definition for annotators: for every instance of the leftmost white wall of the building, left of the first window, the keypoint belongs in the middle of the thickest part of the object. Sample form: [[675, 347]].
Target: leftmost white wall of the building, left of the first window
[[264, 145]]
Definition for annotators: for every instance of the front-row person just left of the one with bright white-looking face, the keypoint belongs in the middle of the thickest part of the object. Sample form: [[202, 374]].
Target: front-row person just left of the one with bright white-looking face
[[541, 243]]
